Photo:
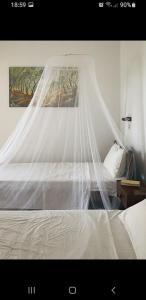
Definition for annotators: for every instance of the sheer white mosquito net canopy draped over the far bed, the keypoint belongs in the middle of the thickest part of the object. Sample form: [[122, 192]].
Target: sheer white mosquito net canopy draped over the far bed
[[54, 158]]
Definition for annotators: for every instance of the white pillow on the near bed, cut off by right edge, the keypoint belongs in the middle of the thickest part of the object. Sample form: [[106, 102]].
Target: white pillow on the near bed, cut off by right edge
[[134, 220]]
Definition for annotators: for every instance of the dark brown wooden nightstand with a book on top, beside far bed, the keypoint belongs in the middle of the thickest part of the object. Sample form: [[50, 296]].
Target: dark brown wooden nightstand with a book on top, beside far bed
[[130, 195]]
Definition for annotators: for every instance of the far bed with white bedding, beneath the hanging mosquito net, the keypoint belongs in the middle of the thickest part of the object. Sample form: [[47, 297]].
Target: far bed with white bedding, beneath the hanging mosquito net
[[54, 178]]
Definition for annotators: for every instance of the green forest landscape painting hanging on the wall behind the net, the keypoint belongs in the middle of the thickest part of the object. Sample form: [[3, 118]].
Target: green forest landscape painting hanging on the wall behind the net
[[62, 92]]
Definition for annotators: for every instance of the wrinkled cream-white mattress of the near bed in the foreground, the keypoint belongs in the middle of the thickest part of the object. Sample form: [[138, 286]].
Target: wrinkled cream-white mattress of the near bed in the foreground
[[63, 235]]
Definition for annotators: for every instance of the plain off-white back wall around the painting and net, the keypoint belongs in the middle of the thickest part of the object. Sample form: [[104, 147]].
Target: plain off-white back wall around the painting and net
[[35, 53]]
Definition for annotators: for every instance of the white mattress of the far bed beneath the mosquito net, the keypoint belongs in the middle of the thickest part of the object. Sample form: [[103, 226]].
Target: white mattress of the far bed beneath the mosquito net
[[57, 172]]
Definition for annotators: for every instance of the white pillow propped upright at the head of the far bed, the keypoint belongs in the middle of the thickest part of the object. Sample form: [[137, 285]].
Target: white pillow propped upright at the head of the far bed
[[115, 161]]
